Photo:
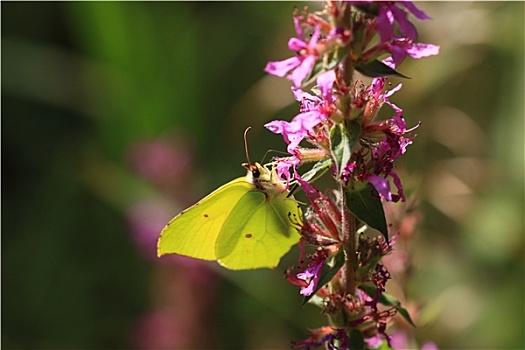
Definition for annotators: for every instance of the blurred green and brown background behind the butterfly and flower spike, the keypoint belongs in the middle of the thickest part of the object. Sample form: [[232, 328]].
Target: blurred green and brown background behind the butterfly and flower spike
[[117, 115]]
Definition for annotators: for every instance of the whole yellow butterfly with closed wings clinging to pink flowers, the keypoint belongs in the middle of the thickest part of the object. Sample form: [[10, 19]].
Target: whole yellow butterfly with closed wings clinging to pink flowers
[[247, 223]]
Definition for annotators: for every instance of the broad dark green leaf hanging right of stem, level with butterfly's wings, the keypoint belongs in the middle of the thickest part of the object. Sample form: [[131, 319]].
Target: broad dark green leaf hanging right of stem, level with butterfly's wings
[[365, 203]]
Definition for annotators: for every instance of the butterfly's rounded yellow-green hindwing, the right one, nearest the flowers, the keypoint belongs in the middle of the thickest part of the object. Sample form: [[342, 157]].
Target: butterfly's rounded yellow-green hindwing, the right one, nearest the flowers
[[258, 231]]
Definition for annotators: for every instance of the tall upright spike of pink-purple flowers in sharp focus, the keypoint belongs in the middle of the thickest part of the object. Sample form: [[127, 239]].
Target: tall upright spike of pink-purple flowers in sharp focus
[[340, 268]]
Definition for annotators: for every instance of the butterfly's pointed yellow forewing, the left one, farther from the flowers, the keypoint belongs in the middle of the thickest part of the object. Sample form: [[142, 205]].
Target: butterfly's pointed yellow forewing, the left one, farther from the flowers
[[194, 231]]
